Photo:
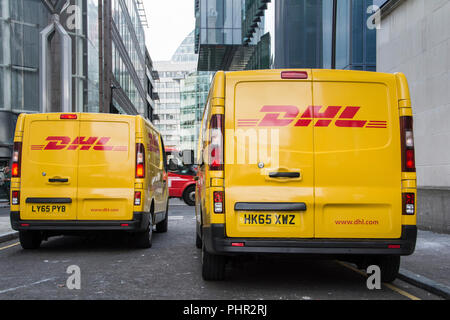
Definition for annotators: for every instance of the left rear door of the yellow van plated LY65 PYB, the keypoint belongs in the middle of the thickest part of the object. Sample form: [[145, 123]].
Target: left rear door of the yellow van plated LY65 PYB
[[49, 170]]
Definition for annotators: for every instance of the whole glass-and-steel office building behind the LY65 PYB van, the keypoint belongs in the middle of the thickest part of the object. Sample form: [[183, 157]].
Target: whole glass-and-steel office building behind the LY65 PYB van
[[72, 56]]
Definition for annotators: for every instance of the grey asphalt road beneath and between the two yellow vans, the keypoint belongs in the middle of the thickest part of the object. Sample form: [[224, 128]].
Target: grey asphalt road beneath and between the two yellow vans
[[112, 269]]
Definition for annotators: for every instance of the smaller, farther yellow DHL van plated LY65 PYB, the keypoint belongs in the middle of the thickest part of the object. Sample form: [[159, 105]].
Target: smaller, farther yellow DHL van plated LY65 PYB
[[79, 172]]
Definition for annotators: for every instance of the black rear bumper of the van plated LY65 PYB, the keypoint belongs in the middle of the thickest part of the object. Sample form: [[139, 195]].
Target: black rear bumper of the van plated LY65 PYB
[[140, 222]]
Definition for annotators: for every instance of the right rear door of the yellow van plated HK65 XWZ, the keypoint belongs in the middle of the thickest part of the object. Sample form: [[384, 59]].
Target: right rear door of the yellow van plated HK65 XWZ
[[357, 156]]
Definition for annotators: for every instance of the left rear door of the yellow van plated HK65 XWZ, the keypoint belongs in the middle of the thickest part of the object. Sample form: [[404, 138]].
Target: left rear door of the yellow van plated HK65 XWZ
[[269, 185]]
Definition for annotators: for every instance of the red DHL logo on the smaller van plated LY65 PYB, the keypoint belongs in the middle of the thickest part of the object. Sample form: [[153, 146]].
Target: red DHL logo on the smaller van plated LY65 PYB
[[79, 143]]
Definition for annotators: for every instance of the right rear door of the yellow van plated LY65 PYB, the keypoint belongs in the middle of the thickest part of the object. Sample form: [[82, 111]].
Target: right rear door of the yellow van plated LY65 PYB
[[106, 171]]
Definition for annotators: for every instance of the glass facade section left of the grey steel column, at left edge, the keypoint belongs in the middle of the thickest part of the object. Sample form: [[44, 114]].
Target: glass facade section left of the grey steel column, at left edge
[[20, 24]]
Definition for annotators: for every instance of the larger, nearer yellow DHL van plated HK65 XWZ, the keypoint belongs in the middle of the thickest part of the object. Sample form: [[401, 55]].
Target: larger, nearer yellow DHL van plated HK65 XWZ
[[307, 162]]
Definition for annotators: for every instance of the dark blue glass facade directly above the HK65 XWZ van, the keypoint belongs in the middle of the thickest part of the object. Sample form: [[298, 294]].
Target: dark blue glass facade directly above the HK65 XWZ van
[[354, 47]]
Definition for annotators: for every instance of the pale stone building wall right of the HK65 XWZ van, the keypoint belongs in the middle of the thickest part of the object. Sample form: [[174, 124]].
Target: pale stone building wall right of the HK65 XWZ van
[[414, 38]]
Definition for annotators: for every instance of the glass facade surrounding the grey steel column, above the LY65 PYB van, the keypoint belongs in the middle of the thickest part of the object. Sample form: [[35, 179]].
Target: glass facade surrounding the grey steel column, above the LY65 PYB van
[[108, 60]]
